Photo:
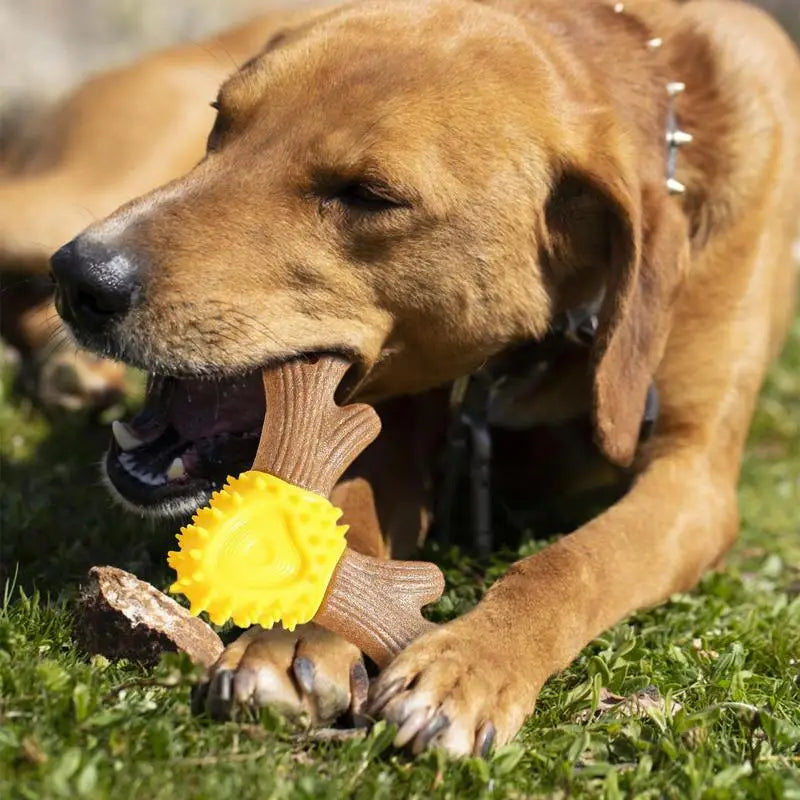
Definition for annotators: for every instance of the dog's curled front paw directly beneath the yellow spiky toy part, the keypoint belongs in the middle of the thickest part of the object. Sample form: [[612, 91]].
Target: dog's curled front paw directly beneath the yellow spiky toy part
[[308, 674]]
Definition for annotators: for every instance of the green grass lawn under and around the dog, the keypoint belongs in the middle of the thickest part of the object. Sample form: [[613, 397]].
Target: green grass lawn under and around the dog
[[728, 653]]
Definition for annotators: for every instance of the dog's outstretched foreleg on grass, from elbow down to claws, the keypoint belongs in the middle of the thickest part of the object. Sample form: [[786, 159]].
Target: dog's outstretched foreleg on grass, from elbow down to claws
[[477, 678]]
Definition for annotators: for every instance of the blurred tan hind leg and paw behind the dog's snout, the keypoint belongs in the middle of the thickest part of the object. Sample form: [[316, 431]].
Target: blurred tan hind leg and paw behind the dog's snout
[[118, 135]]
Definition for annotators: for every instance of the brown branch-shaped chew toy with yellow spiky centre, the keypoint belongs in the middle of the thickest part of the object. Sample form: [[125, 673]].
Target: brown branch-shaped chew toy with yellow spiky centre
[[268, 547]]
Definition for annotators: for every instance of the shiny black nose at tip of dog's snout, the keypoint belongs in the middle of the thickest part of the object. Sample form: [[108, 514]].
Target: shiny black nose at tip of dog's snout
[[95, 286]]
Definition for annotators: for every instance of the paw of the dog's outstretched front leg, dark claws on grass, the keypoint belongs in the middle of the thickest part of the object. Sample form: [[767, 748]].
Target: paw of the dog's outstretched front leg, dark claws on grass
[[456, 688]]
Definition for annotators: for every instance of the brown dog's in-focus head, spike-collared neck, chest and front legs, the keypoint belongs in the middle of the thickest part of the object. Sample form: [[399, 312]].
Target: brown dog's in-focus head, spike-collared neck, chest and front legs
[[422, 186]]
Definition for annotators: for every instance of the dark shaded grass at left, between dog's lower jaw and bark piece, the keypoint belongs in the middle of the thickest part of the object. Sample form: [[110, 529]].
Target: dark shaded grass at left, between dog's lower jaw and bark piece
[[56, 519]]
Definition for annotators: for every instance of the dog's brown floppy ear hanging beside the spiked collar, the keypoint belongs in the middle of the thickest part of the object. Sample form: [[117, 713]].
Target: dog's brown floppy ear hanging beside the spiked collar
[[641, 235]]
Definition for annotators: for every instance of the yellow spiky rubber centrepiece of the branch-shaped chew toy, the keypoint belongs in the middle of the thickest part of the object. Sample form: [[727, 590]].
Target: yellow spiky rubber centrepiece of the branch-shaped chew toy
[[263, 551]]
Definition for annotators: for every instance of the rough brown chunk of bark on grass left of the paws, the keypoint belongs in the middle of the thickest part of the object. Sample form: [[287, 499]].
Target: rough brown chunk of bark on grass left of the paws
[[120, 616]]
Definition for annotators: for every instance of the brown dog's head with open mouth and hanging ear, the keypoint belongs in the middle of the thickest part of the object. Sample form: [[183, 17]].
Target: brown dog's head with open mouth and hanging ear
[[413, 186]]
